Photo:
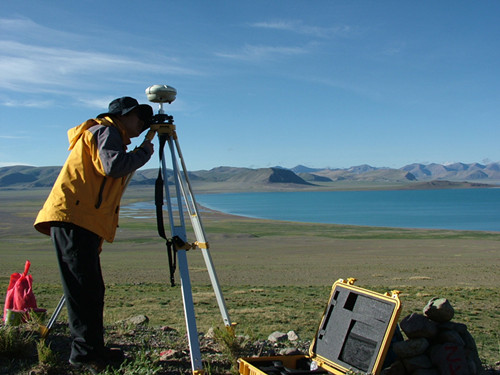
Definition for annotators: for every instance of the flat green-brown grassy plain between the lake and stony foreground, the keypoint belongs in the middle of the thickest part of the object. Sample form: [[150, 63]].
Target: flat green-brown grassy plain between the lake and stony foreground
[[274, 275]]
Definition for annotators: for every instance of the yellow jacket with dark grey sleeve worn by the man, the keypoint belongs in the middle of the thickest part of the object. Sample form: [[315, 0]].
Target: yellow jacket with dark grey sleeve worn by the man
[[89, 187]]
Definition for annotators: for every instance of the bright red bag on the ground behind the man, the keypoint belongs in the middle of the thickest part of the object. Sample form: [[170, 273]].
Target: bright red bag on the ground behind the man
[[20, 292]]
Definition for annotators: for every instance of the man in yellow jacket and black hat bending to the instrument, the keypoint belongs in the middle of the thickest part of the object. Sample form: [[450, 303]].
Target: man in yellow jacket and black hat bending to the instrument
[[82, 211]]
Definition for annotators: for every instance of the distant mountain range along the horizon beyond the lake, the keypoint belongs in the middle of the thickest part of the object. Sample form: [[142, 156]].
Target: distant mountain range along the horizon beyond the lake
[[231, 178]]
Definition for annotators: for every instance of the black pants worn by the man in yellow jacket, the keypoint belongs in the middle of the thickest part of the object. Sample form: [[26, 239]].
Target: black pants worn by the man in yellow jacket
[[78, 255]]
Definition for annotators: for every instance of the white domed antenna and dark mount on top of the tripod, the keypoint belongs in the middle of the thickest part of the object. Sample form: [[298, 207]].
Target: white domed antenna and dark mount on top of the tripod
[[161, 122]]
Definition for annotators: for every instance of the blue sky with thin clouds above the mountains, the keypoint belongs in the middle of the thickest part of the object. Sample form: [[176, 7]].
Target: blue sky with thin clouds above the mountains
[[260, 83]]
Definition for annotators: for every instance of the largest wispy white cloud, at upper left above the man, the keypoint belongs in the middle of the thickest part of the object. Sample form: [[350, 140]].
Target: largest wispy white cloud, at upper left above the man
[[36, 59]]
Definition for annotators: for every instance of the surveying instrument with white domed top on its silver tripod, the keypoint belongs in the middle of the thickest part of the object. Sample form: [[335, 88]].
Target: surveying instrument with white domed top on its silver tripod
[[179, 193]]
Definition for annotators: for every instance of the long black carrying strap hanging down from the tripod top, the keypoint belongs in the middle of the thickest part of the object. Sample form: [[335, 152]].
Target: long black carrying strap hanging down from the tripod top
[[171, 245]]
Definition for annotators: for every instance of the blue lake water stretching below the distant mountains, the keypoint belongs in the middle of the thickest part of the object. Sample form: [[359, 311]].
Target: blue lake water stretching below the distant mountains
[[460, 209]]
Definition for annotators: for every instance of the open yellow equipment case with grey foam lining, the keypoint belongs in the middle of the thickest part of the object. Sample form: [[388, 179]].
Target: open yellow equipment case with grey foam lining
[[354, 335]]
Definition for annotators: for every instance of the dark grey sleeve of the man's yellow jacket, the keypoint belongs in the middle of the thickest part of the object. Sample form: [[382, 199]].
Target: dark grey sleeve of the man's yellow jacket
[[115, 161]]
